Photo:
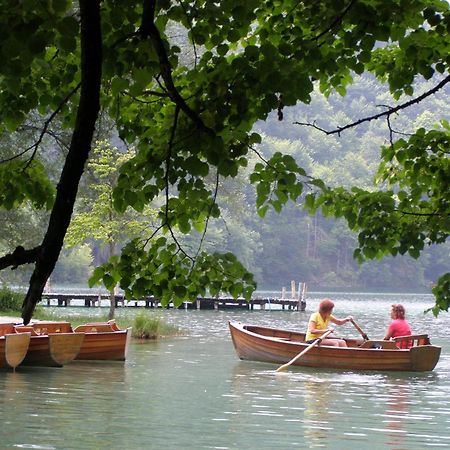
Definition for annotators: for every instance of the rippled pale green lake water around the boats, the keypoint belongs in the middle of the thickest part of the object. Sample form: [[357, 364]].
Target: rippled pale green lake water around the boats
[[194, 393]]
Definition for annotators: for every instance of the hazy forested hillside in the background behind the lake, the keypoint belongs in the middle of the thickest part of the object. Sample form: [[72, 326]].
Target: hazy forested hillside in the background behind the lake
[[285, 246]]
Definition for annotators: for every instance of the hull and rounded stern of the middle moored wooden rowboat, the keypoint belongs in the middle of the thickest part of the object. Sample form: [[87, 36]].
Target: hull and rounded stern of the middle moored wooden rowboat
[[53, 350]]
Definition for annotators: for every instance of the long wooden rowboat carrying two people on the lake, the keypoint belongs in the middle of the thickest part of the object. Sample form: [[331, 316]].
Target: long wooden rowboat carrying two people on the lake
[[279, 346]]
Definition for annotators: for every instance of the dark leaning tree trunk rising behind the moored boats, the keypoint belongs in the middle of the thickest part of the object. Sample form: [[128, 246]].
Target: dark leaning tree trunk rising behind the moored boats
[[88, 109]]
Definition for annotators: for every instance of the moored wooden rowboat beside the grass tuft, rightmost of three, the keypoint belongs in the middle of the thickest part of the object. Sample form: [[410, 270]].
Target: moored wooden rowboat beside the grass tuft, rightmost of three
[[104, 341]]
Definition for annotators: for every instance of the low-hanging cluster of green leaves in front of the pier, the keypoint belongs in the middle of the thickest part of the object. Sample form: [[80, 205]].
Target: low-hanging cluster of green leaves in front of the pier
[[171, 275]]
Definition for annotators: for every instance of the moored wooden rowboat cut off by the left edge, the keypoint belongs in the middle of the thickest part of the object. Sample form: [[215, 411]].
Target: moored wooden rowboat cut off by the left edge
[[13, 346]]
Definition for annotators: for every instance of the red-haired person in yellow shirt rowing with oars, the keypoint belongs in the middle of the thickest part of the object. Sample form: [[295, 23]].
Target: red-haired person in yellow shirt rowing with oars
[[319, 321]]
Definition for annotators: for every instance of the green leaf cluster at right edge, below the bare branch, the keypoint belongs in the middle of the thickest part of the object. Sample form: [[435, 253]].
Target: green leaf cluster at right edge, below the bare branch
[[413, 213]]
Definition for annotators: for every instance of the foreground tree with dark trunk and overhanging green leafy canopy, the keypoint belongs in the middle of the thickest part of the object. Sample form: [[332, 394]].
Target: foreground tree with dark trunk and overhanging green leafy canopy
[[193, 118]]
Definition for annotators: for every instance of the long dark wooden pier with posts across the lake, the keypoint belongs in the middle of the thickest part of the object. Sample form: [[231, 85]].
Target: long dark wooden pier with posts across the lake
[[99, 300]]
